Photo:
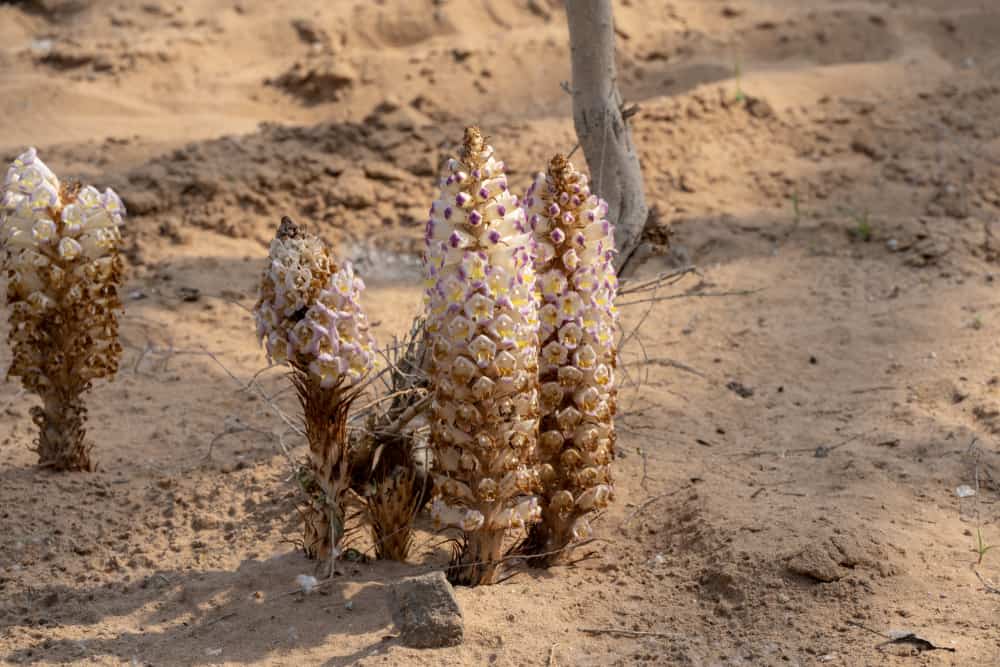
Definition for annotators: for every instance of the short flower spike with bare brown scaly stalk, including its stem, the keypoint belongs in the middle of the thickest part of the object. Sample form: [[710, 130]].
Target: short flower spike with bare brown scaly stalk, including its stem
[[309, 316]]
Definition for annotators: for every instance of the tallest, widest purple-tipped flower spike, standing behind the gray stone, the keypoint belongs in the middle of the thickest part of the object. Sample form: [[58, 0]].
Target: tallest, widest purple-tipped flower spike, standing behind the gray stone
[[482, 328]]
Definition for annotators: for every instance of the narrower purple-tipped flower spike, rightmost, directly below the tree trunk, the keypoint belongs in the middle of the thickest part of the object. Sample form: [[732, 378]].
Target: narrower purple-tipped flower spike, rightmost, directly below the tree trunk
[[577, 285]]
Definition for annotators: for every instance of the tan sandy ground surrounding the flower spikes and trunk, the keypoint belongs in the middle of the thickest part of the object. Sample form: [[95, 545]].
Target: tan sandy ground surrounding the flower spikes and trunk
[[789, 454]]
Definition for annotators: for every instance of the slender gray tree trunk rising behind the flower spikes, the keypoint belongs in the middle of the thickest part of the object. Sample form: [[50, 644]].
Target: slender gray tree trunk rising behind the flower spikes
[[604, 135]]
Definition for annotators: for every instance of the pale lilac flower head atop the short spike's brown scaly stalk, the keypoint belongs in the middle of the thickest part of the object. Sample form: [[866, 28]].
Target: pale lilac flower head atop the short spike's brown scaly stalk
[[309, 312]]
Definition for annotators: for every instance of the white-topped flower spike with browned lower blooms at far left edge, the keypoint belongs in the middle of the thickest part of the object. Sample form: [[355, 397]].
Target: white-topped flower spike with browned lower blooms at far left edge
[[60, 249]]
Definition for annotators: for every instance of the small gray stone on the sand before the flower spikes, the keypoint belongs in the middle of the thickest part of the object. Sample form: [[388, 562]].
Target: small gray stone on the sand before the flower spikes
[[426, 612]]
